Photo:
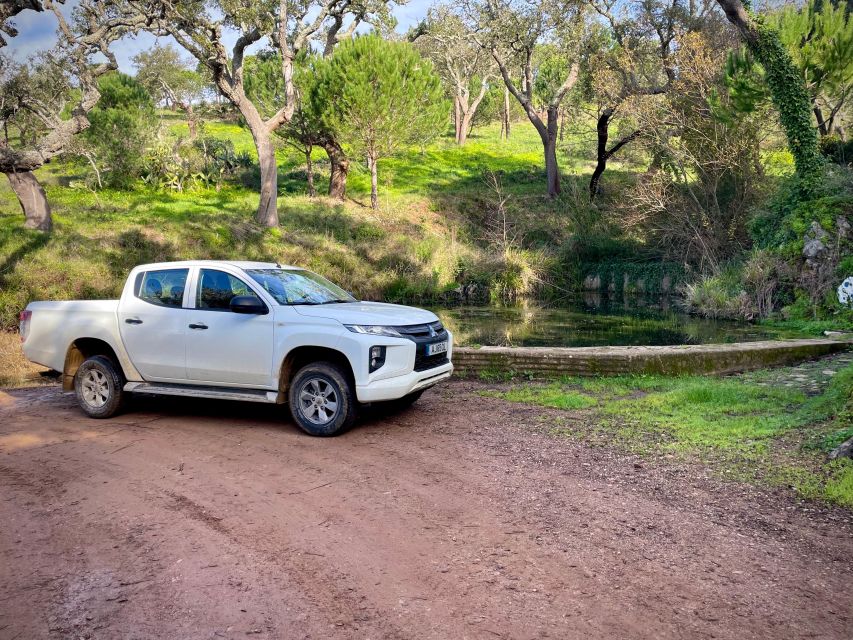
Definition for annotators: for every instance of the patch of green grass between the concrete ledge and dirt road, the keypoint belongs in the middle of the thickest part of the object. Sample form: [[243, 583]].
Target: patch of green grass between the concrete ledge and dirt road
[[744, 427]]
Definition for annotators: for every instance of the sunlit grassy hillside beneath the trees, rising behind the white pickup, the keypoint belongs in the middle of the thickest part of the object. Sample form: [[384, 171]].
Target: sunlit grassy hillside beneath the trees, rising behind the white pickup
[[433, 202]]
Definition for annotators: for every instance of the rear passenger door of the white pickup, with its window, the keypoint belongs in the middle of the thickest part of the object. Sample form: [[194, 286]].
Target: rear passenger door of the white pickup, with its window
[[153, 324]]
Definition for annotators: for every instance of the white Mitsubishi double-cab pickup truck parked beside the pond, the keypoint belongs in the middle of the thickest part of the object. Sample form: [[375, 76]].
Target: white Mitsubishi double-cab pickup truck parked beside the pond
[[251, 331]]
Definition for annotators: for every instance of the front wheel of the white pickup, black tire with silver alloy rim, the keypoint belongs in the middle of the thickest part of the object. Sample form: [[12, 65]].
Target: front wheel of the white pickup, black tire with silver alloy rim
[[322, 399]]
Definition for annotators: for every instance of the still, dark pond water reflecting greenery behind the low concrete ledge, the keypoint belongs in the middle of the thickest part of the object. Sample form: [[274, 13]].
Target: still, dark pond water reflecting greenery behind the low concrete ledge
[[594, 320]]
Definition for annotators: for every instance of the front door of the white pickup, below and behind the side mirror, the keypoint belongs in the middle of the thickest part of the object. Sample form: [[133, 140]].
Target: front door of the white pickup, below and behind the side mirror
[[222, 346]]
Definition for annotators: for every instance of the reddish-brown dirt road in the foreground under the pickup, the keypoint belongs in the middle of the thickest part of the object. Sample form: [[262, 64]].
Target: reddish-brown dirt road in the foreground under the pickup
[[458, 518]]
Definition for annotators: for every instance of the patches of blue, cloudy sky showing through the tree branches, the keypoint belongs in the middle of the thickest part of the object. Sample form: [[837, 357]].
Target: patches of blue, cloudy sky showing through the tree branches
[[37, 31]]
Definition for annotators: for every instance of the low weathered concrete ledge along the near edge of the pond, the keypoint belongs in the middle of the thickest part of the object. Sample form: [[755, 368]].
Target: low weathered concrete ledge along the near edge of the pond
[[678, 360]]
